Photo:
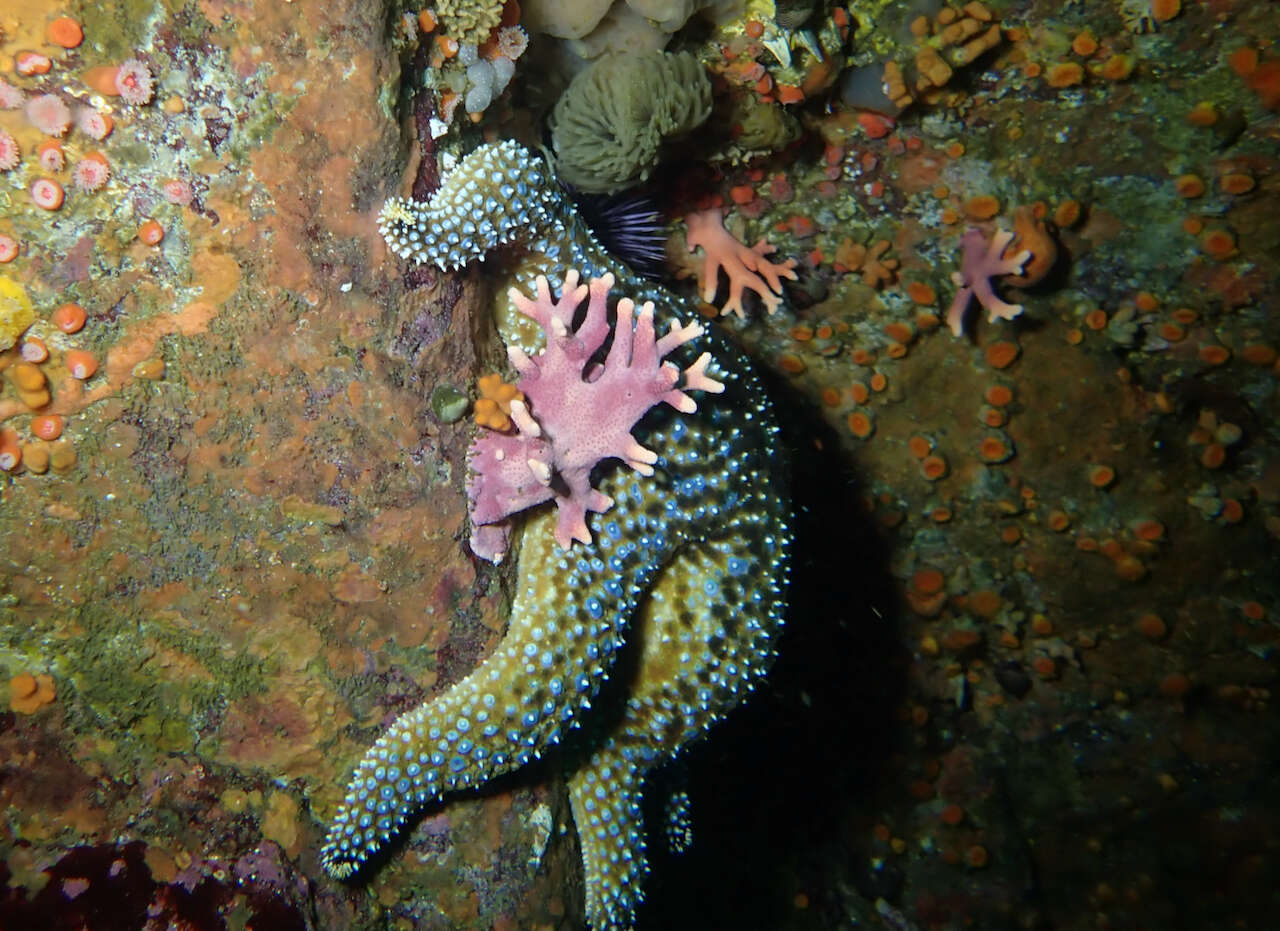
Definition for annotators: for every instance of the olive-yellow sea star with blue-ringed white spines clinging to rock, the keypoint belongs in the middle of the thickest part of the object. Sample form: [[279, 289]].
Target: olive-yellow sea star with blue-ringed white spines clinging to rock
[[691, 565]]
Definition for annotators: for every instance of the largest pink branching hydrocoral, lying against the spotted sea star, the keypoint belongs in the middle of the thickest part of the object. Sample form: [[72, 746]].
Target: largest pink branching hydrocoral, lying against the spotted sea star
[[578, 413]]
